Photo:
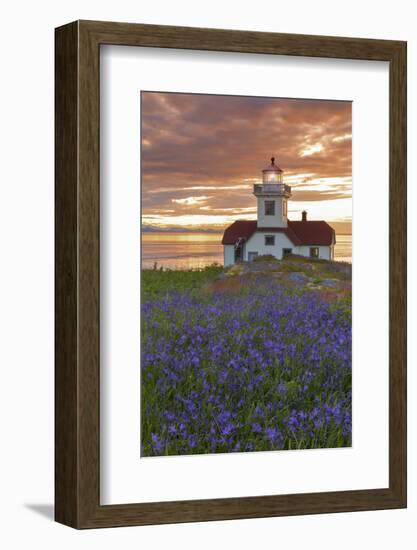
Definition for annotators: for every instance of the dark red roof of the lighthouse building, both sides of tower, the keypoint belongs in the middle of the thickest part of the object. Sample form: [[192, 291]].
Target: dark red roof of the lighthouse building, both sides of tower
[[300, 233]]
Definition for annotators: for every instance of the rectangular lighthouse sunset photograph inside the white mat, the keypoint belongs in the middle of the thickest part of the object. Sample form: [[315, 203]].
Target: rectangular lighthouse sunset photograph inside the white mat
[[246, 263]]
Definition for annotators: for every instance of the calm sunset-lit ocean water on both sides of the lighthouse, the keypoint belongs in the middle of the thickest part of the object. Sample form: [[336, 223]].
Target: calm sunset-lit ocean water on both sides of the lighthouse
[[193, 250]]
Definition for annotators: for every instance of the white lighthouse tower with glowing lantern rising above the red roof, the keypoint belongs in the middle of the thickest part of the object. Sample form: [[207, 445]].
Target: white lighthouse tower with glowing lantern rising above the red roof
[[272, 196]]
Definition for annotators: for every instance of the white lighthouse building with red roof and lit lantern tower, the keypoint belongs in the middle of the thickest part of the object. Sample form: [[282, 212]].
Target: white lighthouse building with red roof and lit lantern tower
[[272, 232]]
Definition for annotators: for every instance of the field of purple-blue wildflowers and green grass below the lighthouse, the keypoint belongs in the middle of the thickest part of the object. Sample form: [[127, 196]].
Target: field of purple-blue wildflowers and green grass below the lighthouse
[[250, 363]]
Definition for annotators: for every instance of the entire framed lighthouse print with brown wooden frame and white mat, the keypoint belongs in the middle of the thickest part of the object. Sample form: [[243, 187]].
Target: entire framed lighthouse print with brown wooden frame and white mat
[[230, 274]]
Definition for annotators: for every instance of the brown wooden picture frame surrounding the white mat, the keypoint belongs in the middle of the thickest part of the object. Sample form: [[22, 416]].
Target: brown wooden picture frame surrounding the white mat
[[77, 370]]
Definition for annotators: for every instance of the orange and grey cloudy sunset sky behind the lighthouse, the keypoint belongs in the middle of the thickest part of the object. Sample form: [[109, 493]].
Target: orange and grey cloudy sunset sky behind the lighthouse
[[201, 155]]
